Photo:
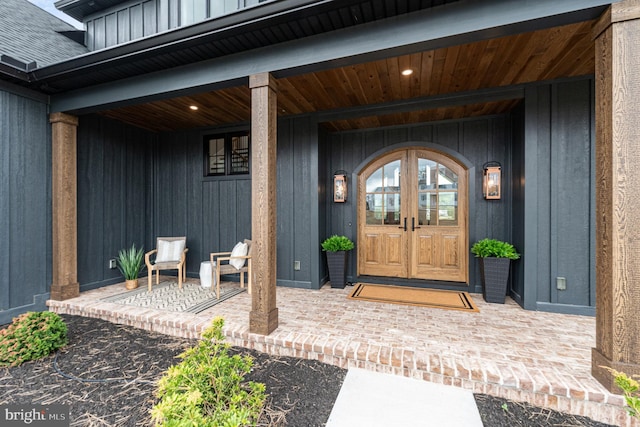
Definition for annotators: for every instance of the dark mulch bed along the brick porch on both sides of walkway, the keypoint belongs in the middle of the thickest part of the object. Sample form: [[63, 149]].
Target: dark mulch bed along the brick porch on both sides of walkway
[[118, 366]]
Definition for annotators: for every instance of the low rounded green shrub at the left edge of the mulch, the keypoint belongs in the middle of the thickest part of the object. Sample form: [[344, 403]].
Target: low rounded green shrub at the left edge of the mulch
[[31, 336]]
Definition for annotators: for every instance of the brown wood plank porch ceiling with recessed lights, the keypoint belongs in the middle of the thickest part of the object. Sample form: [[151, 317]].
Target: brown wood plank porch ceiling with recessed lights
[[554, 53]]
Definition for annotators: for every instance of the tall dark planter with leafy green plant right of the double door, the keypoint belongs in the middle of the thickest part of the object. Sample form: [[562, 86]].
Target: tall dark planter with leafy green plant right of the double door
[[495, 260]]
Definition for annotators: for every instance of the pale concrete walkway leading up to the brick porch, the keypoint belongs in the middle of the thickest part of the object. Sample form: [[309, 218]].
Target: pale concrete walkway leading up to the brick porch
[[373, 399]]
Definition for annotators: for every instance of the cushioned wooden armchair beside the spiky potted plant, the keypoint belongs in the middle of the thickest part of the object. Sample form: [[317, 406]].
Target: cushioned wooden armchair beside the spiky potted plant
[[171, 254]]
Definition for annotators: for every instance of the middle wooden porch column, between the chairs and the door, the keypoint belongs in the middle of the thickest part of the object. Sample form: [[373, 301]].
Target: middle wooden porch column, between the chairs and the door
[[264, 123]]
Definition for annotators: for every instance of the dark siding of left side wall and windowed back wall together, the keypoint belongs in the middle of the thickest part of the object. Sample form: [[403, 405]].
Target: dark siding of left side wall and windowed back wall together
[[135, 185]]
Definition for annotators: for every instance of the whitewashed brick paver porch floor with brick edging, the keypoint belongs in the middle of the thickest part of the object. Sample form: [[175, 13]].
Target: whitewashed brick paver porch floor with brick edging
[[541, 358]]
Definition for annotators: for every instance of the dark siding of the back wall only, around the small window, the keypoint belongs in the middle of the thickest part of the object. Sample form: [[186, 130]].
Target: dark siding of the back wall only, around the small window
[[215, 212]]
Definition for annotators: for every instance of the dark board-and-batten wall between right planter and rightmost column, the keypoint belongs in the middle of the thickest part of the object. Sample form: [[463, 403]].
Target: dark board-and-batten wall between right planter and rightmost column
[[556, 142]]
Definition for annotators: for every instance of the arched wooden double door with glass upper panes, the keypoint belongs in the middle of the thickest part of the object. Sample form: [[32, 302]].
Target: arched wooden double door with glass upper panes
[[413, 217]]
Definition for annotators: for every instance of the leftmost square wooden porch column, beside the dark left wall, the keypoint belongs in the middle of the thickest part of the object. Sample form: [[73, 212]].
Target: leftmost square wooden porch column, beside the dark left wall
[[64, 200]]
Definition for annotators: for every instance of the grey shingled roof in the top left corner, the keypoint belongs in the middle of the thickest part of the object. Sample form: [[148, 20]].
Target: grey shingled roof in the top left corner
[[28, 34]]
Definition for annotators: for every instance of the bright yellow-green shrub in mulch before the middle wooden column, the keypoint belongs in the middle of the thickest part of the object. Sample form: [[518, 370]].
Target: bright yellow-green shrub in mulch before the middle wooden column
[[206, 389]]
